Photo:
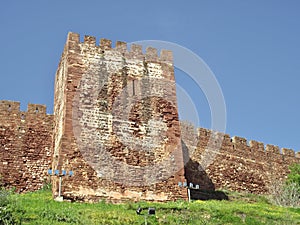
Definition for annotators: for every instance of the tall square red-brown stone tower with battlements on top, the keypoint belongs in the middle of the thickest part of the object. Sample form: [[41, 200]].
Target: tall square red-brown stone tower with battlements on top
[[116, 123]]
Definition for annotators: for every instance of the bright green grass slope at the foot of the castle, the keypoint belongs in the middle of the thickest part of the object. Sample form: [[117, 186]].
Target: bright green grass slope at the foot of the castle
[[39, 208]]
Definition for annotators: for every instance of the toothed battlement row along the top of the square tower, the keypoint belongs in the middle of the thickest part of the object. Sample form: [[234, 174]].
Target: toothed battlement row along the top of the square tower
[[135, 52]]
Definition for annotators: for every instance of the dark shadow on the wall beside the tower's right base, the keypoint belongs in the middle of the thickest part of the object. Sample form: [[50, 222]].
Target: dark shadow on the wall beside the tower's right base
[[194, 173]]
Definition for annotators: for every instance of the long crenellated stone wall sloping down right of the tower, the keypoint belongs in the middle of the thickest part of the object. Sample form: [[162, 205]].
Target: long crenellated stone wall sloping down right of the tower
[[237, 164]]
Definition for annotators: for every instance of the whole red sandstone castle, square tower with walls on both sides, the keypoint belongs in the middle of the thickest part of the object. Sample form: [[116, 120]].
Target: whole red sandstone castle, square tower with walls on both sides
[[116, 126]]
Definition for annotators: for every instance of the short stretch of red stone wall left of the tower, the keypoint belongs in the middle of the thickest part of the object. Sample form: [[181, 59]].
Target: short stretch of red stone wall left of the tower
[[25, 145]]
